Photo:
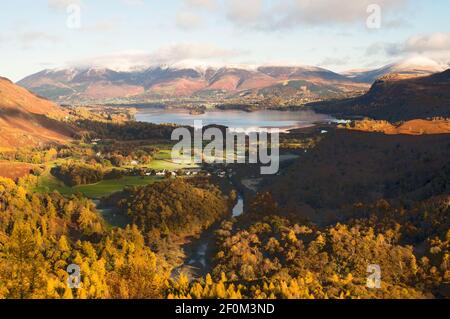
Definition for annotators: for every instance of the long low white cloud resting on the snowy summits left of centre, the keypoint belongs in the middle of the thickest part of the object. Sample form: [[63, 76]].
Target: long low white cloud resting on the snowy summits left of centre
[[175, 54]]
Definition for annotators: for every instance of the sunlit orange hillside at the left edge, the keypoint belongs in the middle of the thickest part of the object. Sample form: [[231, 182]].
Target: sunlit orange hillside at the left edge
[[28, 120]]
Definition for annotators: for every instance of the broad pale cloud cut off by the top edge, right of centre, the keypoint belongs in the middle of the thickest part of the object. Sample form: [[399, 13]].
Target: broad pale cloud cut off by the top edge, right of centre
[[284, 14]]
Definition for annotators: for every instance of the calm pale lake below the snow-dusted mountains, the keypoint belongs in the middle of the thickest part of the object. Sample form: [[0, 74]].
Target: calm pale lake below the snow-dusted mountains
[[236, 119]]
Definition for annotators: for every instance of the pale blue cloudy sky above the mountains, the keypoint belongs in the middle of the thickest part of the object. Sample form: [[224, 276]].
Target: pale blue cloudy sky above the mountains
[[124, 34]]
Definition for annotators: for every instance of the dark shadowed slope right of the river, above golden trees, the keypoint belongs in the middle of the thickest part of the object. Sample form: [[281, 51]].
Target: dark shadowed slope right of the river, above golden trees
[[346, 166]]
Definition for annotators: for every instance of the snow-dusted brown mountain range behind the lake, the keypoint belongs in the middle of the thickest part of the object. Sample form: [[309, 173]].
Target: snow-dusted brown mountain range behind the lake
[[98, 85]]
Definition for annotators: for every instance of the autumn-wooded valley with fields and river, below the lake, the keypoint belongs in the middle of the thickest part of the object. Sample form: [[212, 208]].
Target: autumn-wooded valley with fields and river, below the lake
[[344, 198]]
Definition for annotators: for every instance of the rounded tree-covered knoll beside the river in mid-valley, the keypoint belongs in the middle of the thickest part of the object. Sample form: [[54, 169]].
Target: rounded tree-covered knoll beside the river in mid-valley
[[177, 205]]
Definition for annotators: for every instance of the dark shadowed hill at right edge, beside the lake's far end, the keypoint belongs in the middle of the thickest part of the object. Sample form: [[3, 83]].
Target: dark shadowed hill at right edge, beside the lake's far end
[[395, 98]]
